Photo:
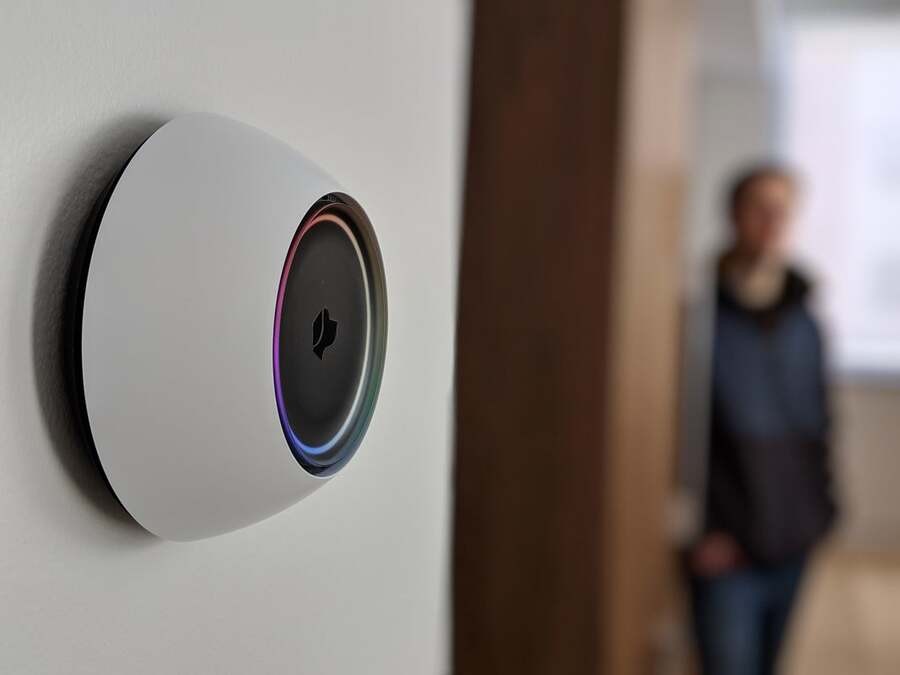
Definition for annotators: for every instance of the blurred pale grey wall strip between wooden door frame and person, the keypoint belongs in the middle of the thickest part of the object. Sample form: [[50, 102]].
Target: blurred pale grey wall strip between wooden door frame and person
[[733, 125]]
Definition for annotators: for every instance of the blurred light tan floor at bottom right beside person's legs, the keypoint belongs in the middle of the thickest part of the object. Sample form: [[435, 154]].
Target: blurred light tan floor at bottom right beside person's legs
[[849, 619]]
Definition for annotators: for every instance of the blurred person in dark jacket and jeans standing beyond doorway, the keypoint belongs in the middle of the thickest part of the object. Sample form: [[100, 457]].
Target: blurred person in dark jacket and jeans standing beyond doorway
[[768, 493]]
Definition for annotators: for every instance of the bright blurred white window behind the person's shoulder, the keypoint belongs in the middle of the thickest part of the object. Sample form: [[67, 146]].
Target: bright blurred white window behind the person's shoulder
[[842, 130]]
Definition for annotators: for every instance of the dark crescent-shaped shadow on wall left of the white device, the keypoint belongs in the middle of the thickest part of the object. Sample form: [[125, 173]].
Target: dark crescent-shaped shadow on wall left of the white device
[[115, 143]]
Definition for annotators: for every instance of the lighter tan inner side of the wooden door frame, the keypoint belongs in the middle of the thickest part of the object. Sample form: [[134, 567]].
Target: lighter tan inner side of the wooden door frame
[[641, 579]]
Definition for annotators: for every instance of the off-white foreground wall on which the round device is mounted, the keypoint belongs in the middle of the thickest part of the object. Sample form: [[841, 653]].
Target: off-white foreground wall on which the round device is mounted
[[353, 580]]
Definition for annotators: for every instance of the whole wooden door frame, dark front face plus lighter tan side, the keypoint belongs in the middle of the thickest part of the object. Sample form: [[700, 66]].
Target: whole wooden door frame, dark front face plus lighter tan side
[[566, 343]]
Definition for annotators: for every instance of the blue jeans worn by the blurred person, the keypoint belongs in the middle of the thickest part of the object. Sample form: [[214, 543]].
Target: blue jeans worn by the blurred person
[[741, 618]]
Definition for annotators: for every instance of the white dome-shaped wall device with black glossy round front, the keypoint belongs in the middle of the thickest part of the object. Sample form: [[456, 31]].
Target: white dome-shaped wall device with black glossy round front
[[228, 328]]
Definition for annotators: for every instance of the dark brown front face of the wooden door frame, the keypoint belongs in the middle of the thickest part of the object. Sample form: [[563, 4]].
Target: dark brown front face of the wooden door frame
[[532, 336]]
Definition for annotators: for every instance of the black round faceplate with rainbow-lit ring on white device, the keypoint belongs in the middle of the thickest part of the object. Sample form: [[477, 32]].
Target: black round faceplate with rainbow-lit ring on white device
[[328, 344]]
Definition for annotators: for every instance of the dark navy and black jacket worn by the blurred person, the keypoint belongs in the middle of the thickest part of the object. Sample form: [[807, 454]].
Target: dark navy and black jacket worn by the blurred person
[[769, 481]]
